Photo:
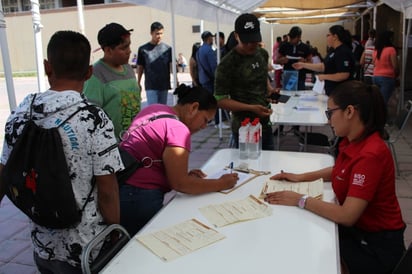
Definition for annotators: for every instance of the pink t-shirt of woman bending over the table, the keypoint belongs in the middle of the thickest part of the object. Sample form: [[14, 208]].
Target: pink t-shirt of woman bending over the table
[[150, 140]]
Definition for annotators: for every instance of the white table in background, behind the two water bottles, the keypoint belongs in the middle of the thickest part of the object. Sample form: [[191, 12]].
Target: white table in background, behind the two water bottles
[[288, 114]]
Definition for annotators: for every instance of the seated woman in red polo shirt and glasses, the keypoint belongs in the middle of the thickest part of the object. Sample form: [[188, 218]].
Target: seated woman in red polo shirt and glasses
[[363, 179]]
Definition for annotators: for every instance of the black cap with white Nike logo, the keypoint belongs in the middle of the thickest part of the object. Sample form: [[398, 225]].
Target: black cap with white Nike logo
[[247, 26]]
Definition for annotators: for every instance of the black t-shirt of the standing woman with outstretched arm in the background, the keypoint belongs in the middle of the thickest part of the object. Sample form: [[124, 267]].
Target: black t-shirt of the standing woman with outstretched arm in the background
[[340, 59]]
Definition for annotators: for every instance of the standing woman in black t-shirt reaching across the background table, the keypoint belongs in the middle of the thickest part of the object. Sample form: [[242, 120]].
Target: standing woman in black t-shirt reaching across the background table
[[338, 65]]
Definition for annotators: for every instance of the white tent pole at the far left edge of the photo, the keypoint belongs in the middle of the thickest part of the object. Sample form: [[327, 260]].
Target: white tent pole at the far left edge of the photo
[[6, 61]]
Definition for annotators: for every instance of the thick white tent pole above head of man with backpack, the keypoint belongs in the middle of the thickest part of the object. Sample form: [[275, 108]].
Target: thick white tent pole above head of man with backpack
[[37, 26]]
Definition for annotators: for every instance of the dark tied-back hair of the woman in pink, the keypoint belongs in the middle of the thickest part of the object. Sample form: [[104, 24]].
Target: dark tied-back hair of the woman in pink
[[188, 95]]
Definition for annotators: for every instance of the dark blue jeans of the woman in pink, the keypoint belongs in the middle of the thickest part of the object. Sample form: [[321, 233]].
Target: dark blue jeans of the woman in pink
[[138, 206]]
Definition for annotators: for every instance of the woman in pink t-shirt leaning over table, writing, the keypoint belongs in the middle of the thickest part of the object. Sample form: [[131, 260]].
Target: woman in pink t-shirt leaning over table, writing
[[163, 145]]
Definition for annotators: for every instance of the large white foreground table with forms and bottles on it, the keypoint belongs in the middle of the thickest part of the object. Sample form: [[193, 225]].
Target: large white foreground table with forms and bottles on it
[[290, 241]]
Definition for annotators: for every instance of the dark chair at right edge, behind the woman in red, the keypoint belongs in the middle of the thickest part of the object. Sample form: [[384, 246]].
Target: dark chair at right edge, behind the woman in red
[[394, 131]]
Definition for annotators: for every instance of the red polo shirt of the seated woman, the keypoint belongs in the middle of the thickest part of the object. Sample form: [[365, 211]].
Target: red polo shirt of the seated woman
[[366, 170]]
